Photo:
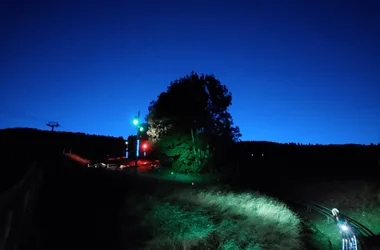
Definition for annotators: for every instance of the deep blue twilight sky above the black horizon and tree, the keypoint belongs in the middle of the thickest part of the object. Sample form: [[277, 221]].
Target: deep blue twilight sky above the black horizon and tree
[[299, 71]]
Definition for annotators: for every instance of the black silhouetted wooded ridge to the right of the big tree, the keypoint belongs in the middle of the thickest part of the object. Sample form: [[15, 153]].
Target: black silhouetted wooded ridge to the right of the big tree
[[273, 161]]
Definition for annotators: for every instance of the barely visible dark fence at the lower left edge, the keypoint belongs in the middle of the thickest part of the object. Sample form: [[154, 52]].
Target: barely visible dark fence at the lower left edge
[[17, 207]]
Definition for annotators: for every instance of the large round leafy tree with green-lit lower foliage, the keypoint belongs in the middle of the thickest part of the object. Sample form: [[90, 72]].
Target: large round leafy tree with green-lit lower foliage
[[191, 120]]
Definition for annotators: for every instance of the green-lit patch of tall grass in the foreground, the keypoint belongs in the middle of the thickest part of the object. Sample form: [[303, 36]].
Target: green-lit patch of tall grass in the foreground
[[201, 219]]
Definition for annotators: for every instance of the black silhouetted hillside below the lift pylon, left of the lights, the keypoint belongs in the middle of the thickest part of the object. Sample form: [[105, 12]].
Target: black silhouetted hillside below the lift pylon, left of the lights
[[20, 147]]
